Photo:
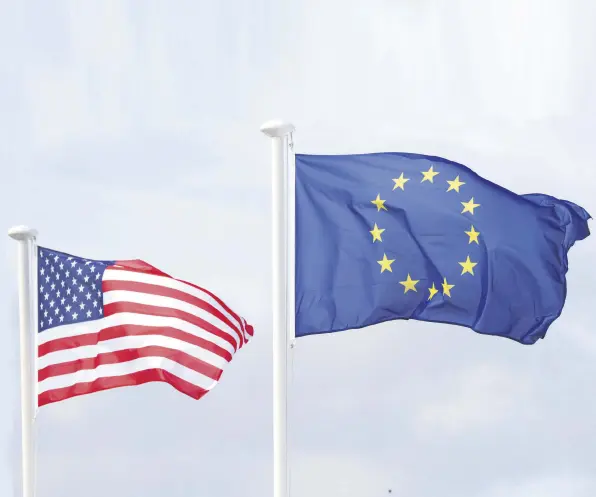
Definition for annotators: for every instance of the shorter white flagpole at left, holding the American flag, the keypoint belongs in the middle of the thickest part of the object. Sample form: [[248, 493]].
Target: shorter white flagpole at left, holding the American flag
[[26, 239]]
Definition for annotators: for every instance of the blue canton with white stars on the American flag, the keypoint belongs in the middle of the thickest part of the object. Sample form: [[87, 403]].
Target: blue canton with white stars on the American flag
[[69, 288]]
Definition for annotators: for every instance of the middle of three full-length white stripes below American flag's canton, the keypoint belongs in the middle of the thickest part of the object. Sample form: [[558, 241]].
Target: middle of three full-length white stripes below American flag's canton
[[130, 342]]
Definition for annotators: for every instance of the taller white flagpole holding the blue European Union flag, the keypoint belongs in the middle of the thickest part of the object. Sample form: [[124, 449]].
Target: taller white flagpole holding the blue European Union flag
[[279, 132]]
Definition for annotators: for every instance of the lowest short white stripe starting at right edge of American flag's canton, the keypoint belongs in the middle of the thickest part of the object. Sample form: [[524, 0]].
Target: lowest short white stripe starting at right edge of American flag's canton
[[169, 302]]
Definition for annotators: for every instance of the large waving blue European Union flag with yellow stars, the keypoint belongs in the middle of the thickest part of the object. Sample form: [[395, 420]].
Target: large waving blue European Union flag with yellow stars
[[404, 236]]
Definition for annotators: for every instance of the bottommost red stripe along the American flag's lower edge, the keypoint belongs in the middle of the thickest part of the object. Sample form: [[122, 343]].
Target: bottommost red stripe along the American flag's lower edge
[[109, 382]]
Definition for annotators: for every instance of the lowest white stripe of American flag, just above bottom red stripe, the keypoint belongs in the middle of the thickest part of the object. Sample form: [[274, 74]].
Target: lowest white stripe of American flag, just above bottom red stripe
[[126, 368]]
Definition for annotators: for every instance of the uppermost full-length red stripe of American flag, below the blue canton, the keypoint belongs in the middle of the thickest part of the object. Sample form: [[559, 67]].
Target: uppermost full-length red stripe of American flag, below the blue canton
[[129, 330]]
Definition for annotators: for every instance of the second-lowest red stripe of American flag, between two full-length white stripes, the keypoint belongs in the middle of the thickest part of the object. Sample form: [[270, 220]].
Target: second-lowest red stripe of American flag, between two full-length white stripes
[[126, 355]]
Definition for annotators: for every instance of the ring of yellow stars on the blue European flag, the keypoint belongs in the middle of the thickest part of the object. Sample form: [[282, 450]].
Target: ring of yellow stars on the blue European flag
[[467, 266]]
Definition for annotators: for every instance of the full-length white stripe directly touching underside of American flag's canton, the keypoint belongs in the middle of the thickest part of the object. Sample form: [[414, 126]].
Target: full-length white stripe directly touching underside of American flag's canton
[[124, 318]]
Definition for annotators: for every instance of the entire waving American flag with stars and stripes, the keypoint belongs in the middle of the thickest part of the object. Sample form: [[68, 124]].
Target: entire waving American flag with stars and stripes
[[108, 324]]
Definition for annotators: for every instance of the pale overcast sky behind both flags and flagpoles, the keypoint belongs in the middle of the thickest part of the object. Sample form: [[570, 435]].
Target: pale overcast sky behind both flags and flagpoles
[[131, 129]]
